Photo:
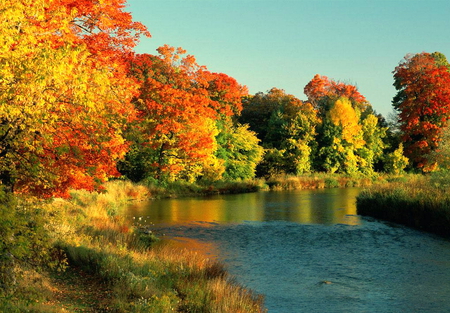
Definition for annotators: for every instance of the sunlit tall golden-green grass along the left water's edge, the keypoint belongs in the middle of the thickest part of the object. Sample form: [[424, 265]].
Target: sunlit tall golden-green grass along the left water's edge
[[142, 275]]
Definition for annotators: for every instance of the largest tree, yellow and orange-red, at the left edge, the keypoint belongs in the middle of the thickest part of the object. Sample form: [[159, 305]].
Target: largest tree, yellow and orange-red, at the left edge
[[63, 97]]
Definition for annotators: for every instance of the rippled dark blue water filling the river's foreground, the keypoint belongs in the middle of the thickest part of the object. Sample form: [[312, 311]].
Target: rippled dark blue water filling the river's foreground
[[376, 267]]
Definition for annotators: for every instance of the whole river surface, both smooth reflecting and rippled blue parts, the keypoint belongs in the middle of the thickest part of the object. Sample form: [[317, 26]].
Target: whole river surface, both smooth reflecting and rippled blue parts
[[308, 251]]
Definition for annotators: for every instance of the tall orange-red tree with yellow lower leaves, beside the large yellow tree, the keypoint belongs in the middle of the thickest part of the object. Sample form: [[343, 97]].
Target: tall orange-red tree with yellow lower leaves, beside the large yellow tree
[[169, 137]]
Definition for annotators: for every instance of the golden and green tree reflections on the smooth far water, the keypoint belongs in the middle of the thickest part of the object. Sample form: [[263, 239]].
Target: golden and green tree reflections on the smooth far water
[[336, 206]]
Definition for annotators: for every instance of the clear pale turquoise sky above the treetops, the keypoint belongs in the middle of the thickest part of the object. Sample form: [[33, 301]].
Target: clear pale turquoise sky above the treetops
[[283, 44]]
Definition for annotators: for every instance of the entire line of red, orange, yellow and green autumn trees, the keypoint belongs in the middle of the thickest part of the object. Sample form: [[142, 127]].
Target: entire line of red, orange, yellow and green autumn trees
[[78, 107]]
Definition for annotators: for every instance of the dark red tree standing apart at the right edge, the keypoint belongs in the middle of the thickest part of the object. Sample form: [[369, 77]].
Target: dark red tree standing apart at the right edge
[[423, 102]]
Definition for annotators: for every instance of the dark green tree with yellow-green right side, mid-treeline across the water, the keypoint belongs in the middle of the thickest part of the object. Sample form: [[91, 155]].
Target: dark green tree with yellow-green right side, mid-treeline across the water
[[287, 127]]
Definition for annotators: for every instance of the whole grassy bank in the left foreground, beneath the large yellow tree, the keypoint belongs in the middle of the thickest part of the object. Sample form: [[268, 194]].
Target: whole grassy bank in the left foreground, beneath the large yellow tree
[[119, 262]]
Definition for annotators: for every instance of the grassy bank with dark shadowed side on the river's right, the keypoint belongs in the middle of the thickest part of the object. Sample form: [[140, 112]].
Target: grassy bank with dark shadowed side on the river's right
[[421, 202]]
